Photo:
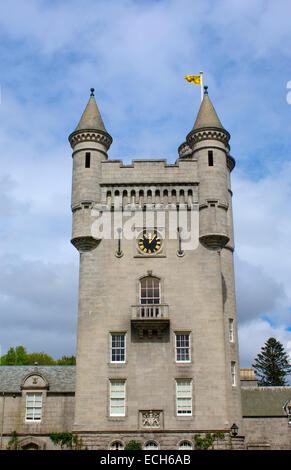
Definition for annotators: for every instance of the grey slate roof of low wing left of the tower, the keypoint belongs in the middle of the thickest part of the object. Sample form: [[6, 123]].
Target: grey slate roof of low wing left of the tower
[[60, 378]]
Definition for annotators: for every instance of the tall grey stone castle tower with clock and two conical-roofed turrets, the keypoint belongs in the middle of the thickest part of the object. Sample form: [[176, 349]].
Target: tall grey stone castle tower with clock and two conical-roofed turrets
[[157, 353]]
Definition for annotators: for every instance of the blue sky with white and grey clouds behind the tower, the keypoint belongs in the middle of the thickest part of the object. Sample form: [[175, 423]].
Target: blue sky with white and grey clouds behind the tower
[[135, 54]]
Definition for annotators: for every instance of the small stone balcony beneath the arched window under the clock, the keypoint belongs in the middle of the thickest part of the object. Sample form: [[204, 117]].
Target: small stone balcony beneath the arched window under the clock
[[150, 318]]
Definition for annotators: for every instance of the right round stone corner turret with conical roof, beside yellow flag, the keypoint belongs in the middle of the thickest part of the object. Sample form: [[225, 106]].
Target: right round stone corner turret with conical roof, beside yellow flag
[[208, 143]]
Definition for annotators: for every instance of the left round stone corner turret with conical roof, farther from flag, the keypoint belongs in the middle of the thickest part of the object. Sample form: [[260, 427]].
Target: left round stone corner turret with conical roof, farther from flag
[[90, 142]]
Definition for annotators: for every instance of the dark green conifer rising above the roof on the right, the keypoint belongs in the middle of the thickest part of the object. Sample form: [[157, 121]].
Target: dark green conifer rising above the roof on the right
[[272, 364]]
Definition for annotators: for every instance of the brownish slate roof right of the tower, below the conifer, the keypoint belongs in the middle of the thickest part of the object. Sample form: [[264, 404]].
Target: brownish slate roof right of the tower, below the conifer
[[264, 401]]
